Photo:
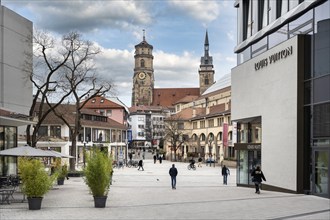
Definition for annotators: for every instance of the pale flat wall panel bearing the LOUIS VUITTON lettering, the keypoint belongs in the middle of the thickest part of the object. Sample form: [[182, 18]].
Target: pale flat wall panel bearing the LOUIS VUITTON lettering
[[271, 92]]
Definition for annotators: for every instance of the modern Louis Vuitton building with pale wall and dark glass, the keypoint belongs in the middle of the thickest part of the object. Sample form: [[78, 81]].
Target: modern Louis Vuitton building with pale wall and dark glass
[[281, 94]]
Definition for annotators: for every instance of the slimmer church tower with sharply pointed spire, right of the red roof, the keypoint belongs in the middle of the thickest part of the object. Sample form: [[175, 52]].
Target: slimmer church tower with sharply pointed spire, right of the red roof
[[206, 72]]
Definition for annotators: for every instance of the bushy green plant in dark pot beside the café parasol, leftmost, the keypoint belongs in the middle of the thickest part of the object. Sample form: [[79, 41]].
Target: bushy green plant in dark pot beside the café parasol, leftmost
[[35, 181]]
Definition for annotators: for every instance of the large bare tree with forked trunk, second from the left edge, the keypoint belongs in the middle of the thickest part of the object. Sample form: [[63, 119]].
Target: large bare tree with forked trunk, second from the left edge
[[81, 81]]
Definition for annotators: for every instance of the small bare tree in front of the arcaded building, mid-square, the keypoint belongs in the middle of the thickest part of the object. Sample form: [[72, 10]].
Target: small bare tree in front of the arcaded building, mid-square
[[174, 133]]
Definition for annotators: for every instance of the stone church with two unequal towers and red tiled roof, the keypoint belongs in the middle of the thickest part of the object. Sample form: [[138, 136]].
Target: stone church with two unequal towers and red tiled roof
[[144, 93]]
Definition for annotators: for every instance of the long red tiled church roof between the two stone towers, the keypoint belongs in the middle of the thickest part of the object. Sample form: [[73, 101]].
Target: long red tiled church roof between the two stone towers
[[170, 96]]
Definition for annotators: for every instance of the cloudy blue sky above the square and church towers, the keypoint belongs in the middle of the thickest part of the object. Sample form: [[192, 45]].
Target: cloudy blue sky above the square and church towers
[[175, 28]]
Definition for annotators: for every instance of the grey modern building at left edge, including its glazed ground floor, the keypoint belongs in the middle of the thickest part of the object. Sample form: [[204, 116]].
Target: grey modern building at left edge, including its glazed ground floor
[[15, 88]]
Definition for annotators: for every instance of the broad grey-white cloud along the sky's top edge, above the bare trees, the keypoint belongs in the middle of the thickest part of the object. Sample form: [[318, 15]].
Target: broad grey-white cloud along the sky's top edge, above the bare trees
[[87, 16]]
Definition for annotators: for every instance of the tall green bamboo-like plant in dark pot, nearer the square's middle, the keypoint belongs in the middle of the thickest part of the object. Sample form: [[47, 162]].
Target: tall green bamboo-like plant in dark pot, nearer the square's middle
[[98, 172]]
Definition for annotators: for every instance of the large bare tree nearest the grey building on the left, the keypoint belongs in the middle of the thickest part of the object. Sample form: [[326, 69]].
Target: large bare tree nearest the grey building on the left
[[49, 58]]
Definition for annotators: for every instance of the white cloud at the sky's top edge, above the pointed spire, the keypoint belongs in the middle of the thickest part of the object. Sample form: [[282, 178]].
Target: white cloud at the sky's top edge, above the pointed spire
[[203, 10]]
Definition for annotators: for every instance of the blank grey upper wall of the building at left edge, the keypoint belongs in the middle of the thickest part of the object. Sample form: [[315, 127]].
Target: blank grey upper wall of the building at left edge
[[15, 42]]
